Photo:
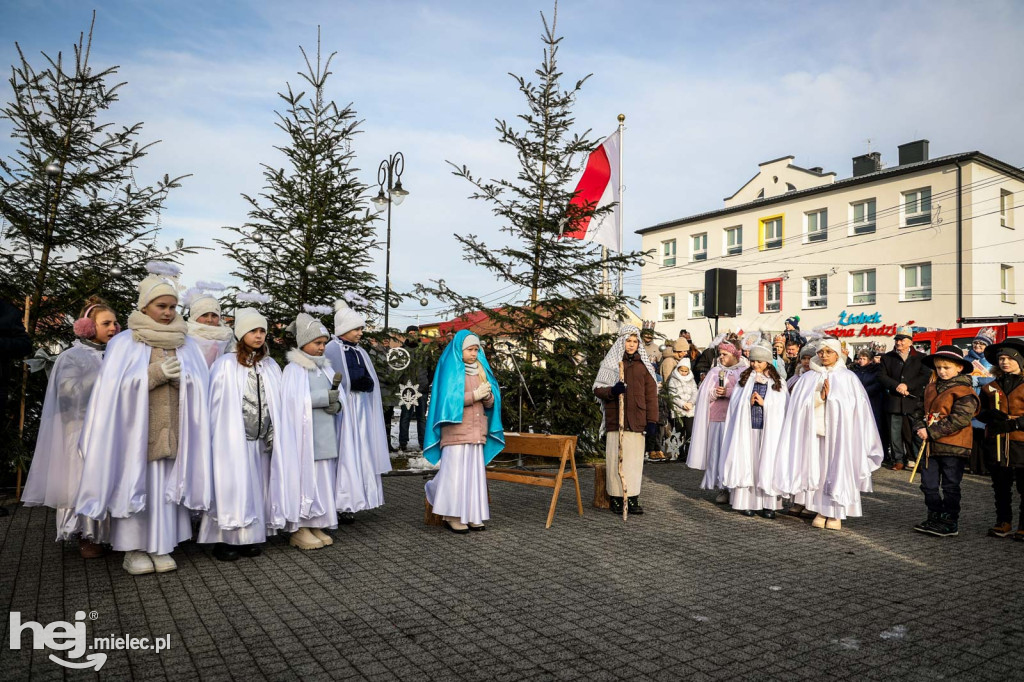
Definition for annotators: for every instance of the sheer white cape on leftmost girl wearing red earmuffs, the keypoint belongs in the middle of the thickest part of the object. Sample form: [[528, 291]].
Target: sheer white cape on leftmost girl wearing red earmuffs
[[57, 465]]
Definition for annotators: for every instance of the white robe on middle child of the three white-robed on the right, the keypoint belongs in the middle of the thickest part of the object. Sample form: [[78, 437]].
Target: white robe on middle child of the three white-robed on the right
[[749, 455]]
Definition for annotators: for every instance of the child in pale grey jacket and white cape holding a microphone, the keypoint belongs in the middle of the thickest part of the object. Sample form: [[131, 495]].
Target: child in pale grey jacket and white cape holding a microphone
[[304, 486]]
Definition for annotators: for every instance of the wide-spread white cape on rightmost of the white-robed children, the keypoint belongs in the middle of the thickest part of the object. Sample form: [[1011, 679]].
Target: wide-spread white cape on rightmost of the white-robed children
[[835, 468]]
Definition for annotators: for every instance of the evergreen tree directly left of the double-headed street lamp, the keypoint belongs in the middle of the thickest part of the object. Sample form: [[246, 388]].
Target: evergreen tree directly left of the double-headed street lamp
[[310, 236]]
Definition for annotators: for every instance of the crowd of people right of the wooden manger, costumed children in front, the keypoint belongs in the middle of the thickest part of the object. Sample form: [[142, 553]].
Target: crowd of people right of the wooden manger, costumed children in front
[[794, 418]]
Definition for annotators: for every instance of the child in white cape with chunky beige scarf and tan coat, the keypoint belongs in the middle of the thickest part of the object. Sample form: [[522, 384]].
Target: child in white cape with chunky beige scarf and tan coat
[[147, 443]]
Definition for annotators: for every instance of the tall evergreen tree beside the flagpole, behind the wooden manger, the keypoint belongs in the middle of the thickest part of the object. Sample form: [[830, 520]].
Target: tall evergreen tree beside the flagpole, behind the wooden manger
[[560, 282]]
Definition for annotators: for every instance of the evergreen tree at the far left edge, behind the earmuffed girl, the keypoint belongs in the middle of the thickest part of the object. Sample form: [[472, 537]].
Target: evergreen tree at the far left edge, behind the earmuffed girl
[[73, 220]]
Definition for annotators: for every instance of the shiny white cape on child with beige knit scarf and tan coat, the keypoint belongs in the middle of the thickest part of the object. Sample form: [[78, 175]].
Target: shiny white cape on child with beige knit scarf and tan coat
[[115, 440]]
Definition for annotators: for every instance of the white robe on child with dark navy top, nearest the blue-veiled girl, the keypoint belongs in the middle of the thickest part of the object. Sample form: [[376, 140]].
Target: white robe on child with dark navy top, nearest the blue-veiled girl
[[363, 442]]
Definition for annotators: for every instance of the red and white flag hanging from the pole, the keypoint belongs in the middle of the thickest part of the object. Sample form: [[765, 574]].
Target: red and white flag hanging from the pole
[[599, 188]]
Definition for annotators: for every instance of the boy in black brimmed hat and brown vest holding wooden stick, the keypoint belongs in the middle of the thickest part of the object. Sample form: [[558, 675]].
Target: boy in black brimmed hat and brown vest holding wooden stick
[[944, 423]]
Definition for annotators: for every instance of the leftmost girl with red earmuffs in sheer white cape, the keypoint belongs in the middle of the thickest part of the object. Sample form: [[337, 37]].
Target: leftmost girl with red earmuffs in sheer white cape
[[57, 467]]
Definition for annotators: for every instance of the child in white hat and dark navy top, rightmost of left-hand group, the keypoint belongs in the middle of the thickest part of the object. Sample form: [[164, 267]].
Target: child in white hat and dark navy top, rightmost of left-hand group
[[364, 443]]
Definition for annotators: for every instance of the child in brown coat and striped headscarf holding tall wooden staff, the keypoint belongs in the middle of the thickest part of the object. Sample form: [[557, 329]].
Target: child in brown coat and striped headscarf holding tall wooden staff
[[625, 443]]
